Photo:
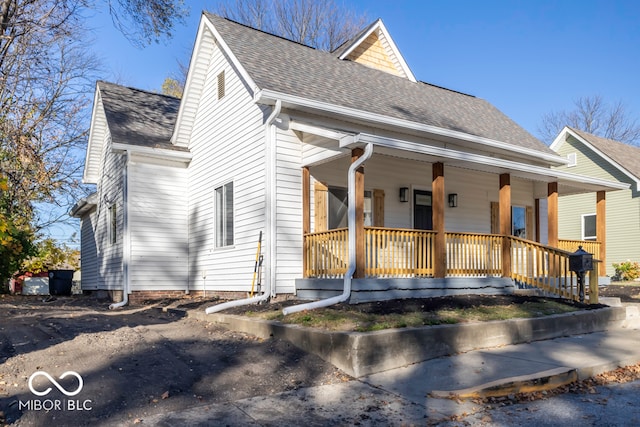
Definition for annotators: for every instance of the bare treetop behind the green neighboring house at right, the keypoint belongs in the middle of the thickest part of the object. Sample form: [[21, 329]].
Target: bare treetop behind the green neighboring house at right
[[593, 115]]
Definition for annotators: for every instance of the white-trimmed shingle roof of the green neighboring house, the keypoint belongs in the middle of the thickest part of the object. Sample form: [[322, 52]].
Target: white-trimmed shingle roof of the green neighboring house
[[623, 157]]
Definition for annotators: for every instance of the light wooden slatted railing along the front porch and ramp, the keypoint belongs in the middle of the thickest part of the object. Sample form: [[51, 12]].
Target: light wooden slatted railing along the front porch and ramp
[[393, 252]]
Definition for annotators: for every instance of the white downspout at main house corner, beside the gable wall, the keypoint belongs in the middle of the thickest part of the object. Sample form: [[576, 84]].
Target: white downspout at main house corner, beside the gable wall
[[270, 218]]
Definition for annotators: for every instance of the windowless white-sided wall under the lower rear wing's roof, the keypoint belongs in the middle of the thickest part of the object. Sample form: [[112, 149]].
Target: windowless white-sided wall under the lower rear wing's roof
[[158, 226]]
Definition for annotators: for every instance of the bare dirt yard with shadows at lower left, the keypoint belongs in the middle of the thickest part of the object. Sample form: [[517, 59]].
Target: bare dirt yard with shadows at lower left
[[133, 362]]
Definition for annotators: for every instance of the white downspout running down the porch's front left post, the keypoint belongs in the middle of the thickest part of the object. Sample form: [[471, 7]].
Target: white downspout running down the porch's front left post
[[346, 293]]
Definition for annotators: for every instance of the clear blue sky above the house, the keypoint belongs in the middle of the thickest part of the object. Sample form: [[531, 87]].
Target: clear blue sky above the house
[[525, 57]]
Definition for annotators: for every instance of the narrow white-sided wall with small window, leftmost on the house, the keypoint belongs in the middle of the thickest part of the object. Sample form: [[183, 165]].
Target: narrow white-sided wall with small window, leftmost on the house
[[110, 190]]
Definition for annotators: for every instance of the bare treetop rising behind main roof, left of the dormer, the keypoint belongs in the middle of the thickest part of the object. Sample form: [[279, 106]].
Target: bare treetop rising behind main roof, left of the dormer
[[322, 24]]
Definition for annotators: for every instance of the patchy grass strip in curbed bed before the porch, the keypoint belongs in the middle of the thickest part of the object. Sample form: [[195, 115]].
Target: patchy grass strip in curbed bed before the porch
[[351, 319]]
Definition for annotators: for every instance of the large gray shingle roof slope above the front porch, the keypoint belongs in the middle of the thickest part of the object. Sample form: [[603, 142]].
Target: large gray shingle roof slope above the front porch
[[280, 65]]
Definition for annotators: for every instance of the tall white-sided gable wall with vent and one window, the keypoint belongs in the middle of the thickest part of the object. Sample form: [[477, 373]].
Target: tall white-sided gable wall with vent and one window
[[227, 145]]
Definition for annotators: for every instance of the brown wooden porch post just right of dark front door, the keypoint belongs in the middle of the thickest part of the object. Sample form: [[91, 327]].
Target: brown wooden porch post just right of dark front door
[[440, 249]]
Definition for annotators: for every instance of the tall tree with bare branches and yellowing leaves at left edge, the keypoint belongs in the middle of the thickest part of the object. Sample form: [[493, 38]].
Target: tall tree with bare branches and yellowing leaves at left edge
[[46, 77]]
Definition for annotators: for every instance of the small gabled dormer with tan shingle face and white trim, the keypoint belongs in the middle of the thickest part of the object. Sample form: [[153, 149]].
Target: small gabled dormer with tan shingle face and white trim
[[375, 48]]
